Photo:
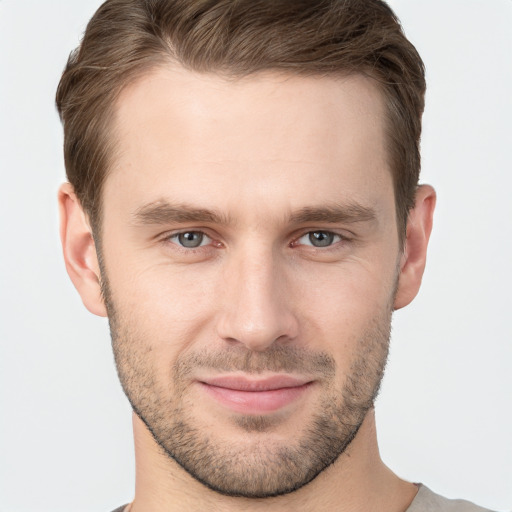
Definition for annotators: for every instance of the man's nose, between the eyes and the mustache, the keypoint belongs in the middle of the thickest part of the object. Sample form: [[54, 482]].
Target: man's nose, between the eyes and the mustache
[[256, 302]]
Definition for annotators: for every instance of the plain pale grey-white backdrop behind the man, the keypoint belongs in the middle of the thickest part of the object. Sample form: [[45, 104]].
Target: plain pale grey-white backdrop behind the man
[[444, 414]]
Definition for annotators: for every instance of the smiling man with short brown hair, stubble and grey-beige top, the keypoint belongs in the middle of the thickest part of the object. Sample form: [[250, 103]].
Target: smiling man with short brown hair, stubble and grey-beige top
[[243, 204]]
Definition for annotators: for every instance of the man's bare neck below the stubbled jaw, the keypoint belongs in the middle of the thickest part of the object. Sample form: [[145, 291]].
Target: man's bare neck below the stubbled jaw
[[357, 481]]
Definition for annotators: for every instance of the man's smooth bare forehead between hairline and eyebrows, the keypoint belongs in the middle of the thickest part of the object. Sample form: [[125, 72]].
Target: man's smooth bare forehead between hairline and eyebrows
[[179, 131]]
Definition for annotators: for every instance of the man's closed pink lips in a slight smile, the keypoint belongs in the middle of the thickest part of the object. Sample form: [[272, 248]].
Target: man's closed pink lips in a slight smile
[[255, 396]]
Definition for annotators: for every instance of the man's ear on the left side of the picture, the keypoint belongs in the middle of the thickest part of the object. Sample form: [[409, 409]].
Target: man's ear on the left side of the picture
[[79, 250]]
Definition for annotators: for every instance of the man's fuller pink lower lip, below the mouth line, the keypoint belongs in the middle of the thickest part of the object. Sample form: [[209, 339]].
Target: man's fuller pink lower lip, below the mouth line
[[255, 402]]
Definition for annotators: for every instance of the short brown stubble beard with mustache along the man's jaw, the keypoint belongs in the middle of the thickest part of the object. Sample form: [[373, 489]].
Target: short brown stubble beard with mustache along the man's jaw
[[260, 468]]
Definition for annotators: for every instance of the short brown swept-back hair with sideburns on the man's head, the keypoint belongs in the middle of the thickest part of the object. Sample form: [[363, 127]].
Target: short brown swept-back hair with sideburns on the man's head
[[236, 38]]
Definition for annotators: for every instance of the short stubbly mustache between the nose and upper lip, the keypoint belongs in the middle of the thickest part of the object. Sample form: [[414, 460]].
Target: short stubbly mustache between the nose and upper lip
[[278, 358]]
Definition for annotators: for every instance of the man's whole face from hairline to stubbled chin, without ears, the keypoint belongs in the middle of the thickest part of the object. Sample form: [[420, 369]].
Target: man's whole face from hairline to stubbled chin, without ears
[[250, 256]]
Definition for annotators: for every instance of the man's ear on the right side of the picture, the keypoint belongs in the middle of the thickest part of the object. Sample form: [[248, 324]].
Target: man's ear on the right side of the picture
[[412, 263]]
